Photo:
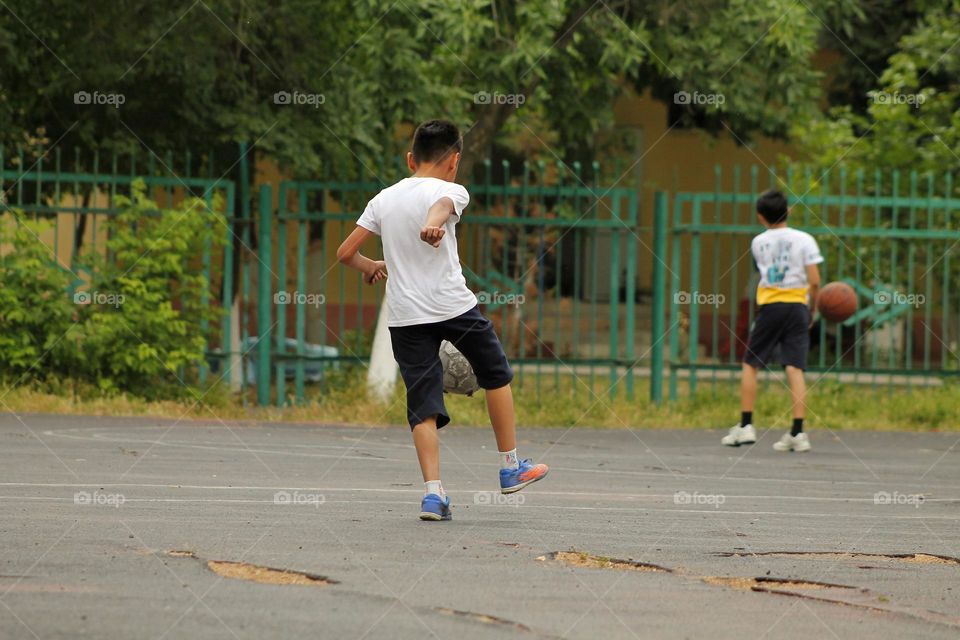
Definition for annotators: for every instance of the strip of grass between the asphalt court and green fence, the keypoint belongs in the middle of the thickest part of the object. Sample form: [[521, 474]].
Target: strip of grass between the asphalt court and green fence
[[343, 399]]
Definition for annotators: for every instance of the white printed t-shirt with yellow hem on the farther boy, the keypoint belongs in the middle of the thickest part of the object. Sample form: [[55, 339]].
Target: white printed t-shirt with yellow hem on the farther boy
[[782, 256]]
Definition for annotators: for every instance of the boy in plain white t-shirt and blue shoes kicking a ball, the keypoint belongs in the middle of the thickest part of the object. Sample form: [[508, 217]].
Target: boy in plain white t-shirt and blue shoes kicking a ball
[[428, 301]]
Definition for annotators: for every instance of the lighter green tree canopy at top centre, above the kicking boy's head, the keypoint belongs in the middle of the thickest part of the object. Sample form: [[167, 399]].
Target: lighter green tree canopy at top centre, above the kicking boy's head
[[551, 70]]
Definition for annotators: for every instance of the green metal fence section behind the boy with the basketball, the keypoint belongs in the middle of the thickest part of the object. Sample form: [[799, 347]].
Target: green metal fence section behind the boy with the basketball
[[890, 236]]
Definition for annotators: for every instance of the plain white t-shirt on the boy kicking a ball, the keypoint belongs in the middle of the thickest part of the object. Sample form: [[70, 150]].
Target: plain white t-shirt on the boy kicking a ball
[[424, 284]]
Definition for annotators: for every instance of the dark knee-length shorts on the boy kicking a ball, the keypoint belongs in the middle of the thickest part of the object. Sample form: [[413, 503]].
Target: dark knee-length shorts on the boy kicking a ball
[[417, 347]]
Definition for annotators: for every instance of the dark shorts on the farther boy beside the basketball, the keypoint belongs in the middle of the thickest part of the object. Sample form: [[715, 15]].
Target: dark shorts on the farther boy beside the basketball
[[783, 324]]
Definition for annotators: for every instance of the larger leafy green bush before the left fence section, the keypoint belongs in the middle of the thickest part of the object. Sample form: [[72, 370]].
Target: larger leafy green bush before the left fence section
[[149, 310]]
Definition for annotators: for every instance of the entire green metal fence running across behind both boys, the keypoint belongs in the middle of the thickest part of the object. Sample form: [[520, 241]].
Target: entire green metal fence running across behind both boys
[[555, 258]]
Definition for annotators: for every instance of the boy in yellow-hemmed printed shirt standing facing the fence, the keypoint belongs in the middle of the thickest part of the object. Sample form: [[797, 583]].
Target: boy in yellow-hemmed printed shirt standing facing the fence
[[787, 260]]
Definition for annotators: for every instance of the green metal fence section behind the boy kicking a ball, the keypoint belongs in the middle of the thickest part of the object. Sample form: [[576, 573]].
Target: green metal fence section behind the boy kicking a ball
[[551, 253]]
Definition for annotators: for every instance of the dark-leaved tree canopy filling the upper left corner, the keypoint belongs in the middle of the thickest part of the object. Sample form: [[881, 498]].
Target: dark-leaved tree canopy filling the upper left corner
[[198, 75]]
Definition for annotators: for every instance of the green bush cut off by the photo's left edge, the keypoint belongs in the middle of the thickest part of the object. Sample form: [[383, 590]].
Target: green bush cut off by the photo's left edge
[[35, 312]]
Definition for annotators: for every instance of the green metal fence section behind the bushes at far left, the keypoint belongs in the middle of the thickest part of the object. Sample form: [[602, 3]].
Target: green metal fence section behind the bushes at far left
[[77, 191]]
